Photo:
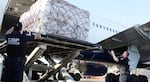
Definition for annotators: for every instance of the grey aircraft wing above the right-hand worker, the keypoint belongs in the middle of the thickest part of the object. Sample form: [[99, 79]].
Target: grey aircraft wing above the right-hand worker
[[138, 36]]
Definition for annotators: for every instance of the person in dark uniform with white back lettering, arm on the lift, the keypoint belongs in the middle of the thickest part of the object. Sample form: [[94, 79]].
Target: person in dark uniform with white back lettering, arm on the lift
[[16, 48]]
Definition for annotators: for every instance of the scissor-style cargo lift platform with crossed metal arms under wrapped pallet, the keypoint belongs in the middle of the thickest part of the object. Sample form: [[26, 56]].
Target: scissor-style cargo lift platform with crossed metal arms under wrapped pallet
[[47, 47]]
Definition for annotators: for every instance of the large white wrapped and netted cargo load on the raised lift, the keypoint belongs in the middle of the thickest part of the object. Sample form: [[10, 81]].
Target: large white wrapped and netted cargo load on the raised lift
[[56, 17]]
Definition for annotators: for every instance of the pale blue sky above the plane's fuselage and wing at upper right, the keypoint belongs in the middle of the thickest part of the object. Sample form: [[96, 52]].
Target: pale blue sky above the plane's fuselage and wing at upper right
[[126, 12]]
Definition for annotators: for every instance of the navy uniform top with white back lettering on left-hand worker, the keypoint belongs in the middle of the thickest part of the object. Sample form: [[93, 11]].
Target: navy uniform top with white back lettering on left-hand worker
[[16, 43]]
